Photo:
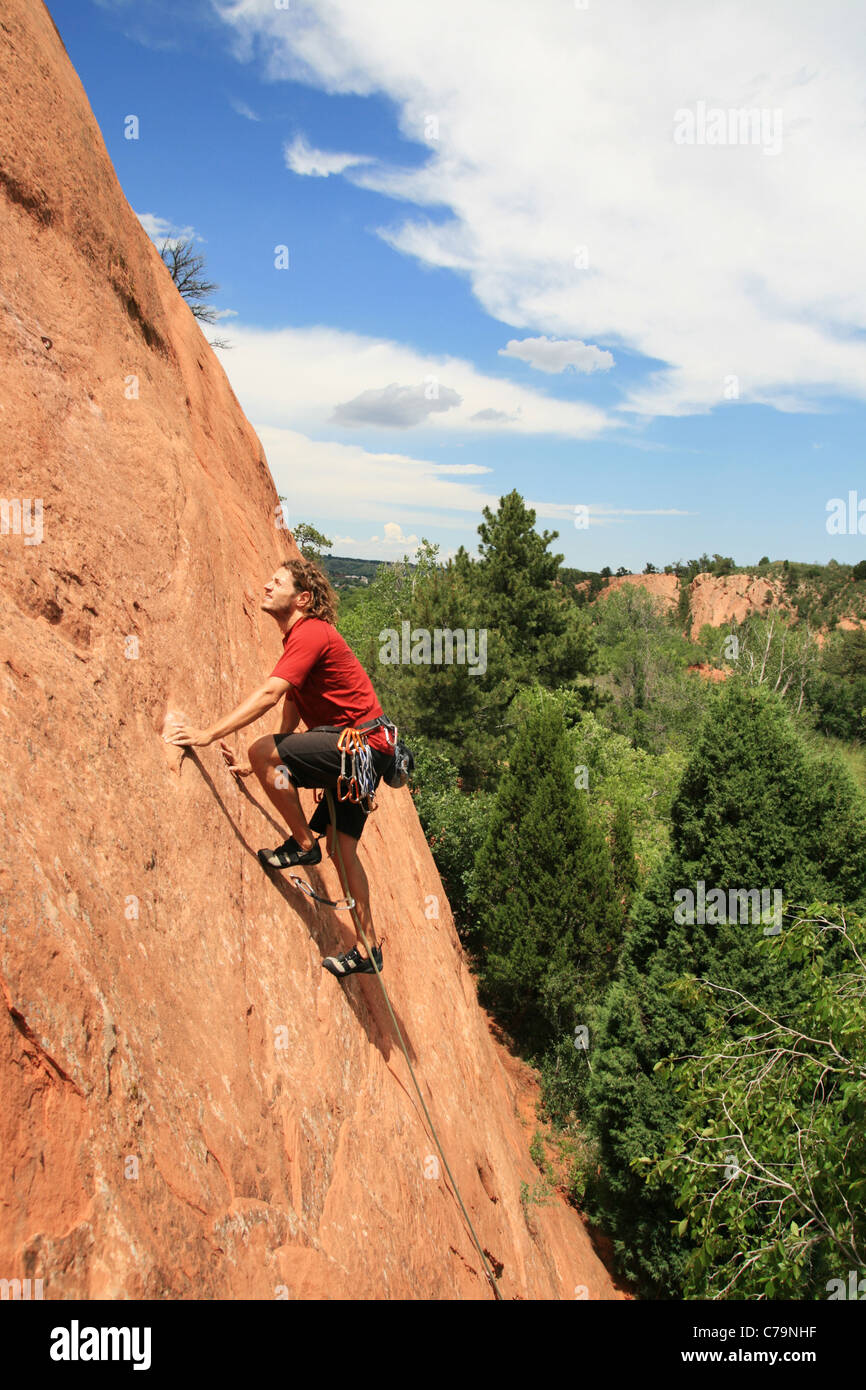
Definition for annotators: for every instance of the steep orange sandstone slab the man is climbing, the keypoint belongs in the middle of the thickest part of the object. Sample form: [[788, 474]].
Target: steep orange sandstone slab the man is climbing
[[190, 1107]]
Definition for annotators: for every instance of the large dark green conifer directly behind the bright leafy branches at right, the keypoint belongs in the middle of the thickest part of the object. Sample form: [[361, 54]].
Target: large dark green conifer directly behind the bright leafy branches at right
[[754, 811]]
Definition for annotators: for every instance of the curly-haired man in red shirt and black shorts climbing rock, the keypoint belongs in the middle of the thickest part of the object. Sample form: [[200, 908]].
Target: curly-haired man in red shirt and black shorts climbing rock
[[322, 682]]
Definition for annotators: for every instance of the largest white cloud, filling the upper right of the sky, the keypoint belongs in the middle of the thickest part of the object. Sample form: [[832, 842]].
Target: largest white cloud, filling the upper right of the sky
[[573, 211]]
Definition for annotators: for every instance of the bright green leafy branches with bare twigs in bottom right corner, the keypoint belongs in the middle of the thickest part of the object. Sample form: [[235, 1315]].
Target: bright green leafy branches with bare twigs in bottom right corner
[[769, 1160]]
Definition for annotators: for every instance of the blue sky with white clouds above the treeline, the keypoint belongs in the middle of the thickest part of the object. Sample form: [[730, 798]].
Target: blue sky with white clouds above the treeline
[[529, 248]]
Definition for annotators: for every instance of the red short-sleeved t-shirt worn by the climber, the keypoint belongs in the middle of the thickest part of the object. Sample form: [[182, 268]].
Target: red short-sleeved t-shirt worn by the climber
[[329, 683]]
